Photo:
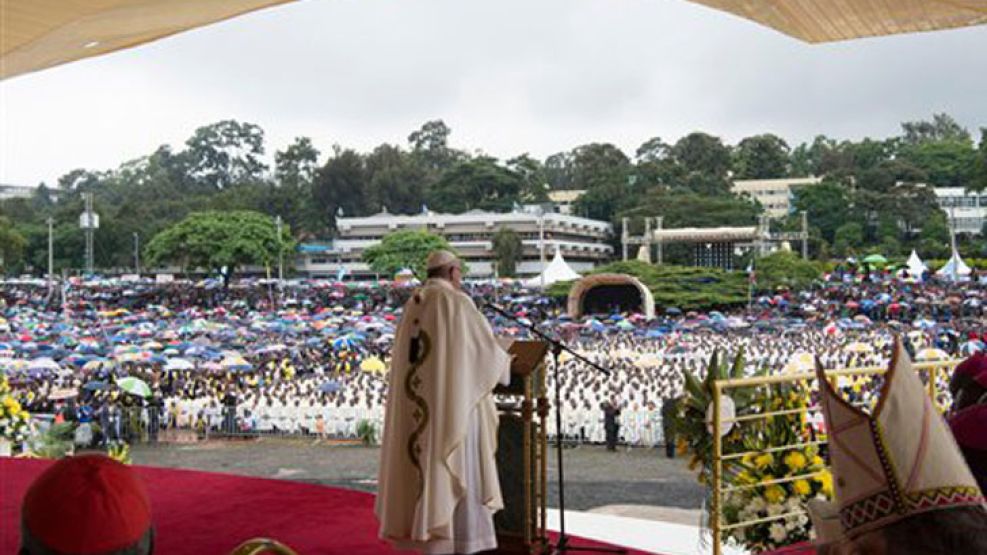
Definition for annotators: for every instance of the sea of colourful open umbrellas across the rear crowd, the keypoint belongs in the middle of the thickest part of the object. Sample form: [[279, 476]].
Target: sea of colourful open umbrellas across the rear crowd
[[101, 330]]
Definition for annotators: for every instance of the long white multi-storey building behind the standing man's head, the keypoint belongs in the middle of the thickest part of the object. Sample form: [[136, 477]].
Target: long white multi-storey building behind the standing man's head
[[583, 242]]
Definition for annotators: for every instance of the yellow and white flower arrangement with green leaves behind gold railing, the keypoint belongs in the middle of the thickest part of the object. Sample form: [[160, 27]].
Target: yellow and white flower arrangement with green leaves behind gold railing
[[781, 471]]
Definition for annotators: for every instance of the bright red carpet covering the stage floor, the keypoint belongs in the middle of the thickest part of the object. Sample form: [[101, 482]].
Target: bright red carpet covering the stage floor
[[202, 513]]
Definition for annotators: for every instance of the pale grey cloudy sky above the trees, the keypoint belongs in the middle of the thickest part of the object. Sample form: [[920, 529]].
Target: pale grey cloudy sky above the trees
[[508, 77]]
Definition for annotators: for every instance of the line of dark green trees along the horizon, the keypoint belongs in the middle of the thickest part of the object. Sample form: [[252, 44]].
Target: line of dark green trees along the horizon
[[871, 196]]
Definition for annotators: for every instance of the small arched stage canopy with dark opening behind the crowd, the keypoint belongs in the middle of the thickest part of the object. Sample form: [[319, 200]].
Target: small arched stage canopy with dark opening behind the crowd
[[601, 293]]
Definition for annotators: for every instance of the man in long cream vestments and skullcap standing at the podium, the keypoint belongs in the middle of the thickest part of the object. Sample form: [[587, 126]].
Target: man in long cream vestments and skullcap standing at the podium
[[438, 488]]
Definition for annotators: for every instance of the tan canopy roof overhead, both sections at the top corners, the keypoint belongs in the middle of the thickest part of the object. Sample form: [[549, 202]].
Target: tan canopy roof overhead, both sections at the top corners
[[37, 34]]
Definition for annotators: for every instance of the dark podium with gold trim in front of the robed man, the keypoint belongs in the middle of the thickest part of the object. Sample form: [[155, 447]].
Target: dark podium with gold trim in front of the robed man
[[521, 451]]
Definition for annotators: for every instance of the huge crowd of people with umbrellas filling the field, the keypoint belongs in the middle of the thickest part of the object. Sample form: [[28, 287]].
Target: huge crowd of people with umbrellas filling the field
[[311, 357]]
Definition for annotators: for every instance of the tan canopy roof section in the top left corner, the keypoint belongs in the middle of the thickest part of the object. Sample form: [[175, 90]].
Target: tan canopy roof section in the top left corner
[[37, 34]]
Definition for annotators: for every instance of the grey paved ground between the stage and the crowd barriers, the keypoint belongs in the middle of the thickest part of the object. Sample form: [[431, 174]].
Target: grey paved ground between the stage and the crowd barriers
[[634, 482]]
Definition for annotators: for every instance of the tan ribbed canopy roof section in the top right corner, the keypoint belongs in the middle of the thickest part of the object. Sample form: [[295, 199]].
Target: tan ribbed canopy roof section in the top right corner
[[832, 20]]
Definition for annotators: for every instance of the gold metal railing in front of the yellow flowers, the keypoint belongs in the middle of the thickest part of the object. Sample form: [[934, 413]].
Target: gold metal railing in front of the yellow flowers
[[932, 372]]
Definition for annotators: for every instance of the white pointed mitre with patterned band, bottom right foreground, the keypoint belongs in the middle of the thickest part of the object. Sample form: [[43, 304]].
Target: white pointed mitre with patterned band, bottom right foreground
[[899, 461]]
